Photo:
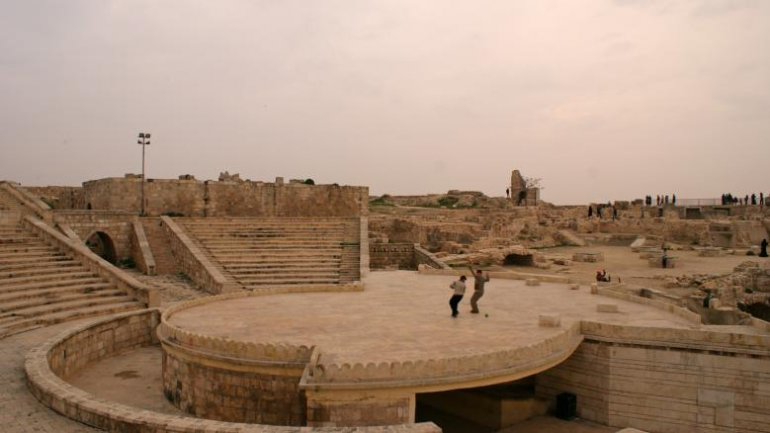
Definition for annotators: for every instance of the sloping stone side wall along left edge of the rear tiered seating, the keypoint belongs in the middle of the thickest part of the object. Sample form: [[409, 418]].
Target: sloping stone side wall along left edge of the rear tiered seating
[[193, 262]]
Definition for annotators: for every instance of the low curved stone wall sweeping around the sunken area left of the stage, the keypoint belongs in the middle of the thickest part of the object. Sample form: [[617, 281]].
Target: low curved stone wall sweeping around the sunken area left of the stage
[[66, 354]]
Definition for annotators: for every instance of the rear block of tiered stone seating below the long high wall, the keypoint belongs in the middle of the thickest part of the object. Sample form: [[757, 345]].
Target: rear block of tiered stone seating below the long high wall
[[260, 252]]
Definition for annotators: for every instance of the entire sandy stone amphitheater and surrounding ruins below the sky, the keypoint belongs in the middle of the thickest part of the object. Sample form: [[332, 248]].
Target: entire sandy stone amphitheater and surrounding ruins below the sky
[[239, 306]]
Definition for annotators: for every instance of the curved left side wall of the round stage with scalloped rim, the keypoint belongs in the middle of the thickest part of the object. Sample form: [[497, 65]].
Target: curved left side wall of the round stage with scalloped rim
[[232, 381]]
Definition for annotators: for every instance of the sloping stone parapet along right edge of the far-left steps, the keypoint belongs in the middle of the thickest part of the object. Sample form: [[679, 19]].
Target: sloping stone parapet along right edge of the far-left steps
[[149, 296]]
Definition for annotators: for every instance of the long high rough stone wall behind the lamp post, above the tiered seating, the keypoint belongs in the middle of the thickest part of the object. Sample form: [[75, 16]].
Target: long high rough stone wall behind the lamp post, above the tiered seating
[[190, 197]]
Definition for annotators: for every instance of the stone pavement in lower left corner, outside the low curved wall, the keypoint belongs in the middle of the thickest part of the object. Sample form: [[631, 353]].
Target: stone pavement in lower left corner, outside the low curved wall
[[20, 412]]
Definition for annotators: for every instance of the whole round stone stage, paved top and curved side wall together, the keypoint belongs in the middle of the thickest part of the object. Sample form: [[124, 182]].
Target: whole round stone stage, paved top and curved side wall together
[[361, 357]]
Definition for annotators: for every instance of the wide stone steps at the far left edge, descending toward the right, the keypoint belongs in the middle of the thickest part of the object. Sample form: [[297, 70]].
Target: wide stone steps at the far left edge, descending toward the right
[[40, 285]]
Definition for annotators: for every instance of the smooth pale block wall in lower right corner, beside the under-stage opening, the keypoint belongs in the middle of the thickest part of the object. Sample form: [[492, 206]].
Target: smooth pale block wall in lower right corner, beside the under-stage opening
[[665, 389]]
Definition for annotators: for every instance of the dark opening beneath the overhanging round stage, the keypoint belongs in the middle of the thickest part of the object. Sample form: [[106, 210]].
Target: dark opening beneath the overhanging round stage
[[481, 410]]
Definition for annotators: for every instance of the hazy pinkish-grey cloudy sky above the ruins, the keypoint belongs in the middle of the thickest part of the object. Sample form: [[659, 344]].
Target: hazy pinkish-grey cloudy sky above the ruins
[[601, 99]]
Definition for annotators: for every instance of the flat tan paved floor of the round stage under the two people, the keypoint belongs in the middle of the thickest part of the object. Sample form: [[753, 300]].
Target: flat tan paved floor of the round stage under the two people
[[402, 316]]
